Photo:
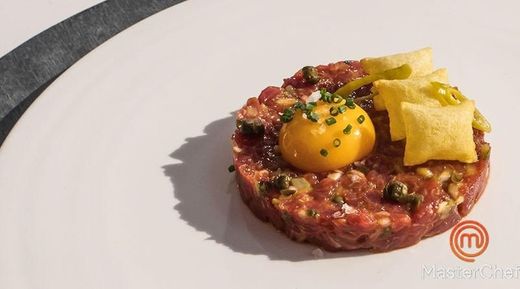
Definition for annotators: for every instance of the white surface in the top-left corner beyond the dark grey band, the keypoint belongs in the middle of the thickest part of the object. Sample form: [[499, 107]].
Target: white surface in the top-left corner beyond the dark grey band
[[21, 20]]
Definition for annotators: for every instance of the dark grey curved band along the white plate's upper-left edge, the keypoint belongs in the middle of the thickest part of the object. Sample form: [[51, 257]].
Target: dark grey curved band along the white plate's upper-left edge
[[26, 71]]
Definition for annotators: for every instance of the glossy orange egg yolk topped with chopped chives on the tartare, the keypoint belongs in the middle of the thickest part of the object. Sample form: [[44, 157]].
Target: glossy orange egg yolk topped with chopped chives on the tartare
[[323, 145]]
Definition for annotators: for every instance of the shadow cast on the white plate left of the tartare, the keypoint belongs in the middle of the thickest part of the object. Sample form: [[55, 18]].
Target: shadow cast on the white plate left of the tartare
[[210, 202]]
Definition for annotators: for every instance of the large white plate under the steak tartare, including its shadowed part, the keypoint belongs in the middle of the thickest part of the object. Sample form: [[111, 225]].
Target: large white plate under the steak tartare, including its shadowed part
[[116, 176]]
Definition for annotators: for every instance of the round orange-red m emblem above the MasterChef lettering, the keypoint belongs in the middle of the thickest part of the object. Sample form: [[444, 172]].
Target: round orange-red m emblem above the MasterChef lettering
[[468, 240]]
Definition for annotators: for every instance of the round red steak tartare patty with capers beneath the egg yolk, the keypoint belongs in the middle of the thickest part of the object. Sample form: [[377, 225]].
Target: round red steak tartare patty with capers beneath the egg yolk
[[351, 207]]
